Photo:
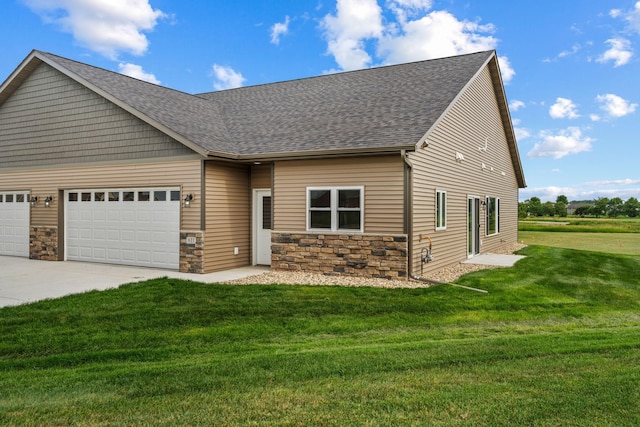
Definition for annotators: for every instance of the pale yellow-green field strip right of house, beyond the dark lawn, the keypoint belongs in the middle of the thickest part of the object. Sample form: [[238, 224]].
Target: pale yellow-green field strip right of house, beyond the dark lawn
[[614, 243]]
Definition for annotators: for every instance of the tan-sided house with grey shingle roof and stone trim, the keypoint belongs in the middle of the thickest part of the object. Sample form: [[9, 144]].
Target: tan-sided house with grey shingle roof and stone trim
[[355, 173]]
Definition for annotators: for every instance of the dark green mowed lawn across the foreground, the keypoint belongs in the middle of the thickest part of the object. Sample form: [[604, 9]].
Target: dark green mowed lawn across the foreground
[[556, 341]]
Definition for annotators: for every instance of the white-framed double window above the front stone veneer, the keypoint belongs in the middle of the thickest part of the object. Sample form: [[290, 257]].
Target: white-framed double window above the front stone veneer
[[335, 208]]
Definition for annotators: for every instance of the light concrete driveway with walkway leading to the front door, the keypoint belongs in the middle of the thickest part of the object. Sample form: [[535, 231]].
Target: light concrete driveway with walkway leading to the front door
[[24, 280]]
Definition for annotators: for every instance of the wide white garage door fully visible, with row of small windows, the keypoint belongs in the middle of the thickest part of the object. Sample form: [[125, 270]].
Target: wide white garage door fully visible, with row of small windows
[[133, 226]]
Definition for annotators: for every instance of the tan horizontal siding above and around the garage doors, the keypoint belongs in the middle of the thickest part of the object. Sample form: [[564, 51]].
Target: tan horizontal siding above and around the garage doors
[[42, 183]]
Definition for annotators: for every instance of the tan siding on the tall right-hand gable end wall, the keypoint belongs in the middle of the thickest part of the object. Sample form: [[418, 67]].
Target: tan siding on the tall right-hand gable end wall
[[472, 119]]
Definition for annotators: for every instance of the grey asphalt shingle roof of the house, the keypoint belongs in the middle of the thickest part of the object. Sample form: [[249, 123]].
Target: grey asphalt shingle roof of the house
[[378, 108]]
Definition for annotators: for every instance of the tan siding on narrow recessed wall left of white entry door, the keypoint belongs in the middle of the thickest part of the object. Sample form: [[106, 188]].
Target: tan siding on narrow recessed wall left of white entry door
[[227, 223]]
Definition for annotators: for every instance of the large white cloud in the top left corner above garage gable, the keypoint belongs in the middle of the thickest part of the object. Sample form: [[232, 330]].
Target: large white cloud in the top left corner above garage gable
[[107, 27]]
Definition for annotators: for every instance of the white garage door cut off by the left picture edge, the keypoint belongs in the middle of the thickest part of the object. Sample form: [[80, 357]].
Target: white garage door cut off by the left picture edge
[[14, 223]]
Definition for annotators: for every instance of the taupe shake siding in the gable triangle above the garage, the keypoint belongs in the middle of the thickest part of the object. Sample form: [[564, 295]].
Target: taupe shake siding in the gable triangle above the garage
[[52, 120]]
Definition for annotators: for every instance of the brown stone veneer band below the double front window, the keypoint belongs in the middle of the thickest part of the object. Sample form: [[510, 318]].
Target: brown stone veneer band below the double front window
[[360, 255]]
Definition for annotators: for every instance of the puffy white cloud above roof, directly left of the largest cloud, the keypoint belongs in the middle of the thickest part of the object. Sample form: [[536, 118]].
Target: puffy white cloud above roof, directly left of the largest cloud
[[355, 21]]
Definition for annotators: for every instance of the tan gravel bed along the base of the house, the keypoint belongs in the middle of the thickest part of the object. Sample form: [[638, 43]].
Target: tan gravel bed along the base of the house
[[445, 275]]
